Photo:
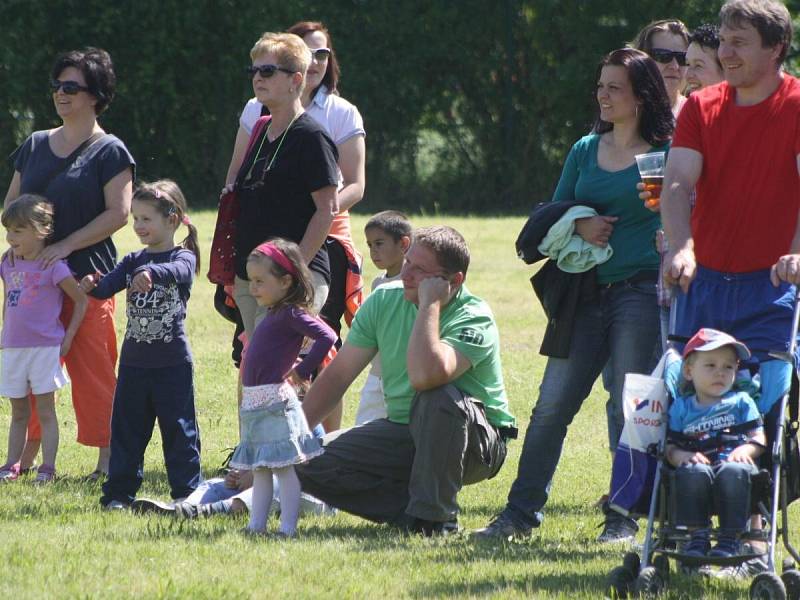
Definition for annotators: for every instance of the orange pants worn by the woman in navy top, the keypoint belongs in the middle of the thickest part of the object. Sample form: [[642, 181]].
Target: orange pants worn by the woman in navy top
[[91, 364]]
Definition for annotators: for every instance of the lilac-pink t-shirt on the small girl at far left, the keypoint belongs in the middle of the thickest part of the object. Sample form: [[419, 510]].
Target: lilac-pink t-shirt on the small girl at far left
[[32, 303]]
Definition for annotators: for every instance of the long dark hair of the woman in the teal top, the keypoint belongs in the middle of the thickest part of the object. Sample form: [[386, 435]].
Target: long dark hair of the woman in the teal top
[[656, 122]]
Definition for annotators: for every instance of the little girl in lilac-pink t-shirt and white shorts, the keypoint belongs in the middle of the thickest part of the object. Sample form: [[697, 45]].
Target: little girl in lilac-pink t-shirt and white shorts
[[33, 339]]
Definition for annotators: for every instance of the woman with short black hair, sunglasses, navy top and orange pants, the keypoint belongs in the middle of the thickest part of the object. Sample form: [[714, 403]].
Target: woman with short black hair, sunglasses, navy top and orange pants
[[87, 175]]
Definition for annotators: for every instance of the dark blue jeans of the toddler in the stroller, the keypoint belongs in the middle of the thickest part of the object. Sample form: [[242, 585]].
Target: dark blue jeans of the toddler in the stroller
[[723, 488]]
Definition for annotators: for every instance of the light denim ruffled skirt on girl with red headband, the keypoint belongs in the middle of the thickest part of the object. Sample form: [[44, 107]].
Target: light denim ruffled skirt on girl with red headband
[[274, 430]]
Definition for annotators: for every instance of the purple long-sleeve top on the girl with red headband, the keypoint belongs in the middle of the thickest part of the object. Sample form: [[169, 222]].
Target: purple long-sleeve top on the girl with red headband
[[276, 342]]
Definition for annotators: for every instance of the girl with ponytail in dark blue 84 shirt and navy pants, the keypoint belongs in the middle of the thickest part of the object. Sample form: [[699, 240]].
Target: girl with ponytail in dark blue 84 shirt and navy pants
[[155, 368]]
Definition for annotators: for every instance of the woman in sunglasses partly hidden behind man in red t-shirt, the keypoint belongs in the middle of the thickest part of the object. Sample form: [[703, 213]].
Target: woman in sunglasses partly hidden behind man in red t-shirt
[[666, 43]]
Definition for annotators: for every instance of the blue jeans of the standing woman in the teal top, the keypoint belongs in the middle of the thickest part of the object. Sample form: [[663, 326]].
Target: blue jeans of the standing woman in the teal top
[[622, 325]]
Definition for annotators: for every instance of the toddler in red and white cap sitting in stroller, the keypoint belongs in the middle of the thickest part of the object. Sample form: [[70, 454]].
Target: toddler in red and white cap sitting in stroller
[[715, 436]]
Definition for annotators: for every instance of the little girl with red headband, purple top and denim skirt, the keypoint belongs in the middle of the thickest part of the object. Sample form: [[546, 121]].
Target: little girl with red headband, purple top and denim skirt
[[274, 431]]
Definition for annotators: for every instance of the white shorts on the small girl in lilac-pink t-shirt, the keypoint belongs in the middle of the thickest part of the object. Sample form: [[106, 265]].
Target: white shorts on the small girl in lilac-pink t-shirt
[[37, 370]]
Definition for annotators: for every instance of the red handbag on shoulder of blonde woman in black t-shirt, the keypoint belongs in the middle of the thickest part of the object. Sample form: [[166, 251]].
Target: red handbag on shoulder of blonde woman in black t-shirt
[[222, 263]]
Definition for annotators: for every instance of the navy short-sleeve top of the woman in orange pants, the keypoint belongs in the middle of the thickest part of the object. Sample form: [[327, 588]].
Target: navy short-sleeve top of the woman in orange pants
[[76, 193]]
